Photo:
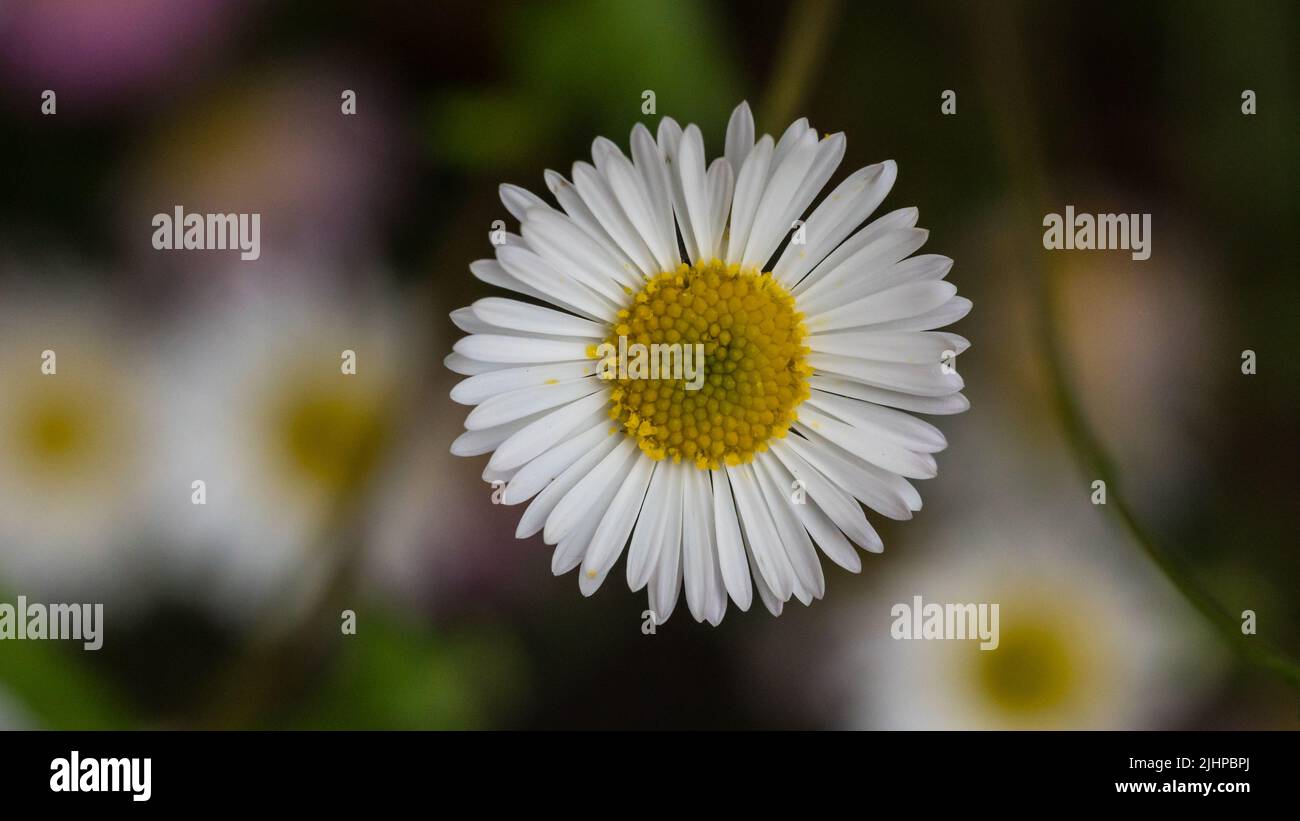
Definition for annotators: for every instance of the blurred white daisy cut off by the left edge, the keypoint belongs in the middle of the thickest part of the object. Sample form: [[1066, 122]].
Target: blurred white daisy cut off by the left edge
[[75, 436]]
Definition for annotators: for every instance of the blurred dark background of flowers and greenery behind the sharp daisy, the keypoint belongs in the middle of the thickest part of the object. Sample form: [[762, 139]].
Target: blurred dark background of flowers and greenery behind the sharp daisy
[[330, 494]]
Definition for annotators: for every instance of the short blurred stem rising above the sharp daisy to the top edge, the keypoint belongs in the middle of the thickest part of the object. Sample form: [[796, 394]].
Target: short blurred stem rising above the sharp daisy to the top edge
[[808, 34]]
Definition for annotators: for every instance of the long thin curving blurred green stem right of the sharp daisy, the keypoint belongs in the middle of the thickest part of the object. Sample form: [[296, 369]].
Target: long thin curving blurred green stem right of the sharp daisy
[[996, 27]]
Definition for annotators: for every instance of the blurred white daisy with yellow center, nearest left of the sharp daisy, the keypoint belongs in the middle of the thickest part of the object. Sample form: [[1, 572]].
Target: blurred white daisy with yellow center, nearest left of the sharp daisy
[[266, 410]]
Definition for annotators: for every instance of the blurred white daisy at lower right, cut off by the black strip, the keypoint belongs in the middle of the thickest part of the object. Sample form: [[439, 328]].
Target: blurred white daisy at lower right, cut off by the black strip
[[1087, 638]]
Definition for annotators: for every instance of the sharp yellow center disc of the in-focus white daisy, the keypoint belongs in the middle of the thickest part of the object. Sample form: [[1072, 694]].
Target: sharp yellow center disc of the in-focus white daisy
[[753, 371]]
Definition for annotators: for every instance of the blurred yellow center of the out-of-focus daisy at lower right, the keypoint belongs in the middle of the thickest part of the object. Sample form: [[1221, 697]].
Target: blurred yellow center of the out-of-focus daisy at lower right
[[1033, 670]]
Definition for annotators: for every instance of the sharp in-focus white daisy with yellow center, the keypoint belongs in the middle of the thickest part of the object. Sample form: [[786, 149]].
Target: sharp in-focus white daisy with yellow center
[[813, 357]]
